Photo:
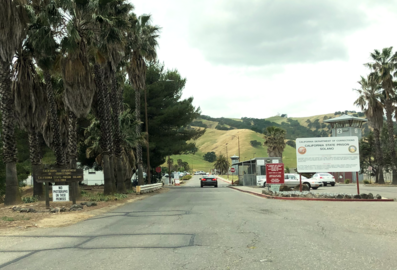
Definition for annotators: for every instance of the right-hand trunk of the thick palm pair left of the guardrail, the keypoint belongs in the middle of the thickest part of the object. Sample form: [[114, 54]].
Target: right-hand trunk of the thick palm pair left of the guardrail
[[118, 162]]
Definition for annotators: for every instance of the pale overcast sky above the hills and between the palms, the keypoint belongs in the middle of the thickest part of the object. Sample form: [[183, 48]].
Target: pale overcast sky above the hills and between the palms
[[257, 58]]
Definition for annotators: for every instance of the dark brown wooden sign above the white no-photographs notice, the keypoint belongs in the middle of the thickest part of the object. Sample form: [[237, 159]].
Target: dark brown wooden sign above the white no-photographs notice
[[60, 175]]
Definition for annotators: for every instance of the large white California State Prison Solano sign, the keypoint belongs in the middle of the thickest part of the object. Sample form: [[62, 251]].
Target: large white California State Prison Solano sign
[[328, 154]]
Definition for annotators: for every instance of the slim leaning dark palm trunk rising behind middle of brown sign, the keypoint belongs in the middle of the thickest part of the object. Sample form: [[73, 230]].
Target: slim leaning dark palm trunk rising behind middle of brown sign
[[59, 155]]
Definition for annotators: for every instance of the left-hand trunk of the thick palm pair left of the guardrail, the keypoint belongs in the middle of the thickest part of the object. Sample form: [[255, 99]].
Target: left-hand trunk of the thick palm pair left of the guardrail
[[105, 130]]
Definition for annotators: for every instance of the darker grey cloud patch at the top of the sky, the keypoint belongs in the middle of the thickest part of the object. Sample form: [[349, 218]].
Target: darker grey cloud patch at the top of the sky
[[268, 32]]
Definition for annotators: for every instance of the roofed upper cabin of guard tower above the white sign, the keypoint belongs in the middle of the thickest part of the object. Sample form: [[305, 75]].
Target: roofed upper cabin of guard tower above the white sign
[[346, 125]]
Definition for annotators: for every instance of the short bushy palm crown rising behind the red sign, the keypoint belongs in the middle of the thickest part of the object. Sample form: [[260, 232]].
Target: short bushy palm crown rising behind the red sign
[[275, 141]]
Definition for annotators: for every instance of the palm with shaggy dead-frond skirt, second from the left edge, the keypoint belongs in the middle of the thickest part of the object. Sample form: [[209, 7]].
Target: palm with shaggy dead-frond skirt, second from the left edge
[[30, 105]]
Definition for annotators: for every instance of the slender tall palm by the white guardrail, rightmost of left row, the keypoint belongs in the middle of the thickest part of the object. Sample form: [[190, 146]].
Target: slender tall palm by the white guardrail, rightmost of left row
[[142, 44]]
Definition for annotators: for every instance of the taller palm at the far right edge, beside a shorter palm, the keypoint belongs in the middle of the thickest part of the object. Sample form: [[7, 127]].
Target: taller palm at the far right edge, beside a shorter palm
[[383, 68]]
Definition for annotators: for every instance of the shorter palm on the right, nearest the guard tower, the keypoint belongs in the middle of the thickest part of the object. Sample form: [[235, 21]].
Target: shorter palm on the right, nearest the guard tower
[[370, 104]]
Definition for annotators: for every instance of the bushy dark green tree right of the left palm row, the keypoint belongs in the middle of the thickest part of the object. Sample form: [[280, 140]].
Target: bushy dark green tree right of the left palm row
[[169, 116]]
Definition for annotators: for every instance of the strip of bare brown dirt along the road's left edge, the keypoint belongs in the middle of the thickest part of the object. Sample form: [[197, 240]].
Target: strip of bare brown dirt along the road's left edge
[[13, 222]]
